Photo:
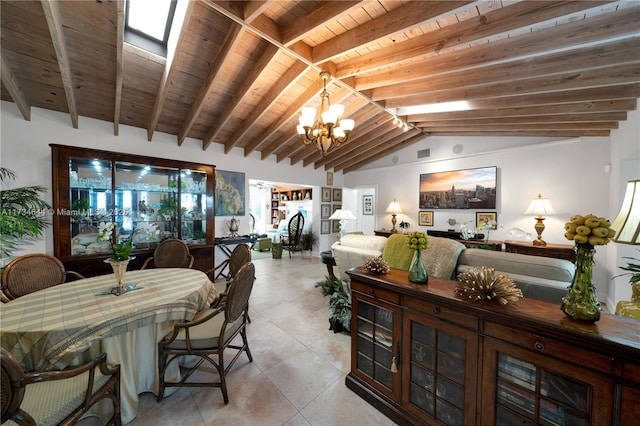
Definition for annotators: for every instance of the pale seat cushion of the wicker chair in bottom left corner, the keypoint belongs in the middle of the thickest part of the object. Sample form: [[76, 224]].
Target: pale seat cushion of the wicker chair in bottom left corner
[[49, 403]]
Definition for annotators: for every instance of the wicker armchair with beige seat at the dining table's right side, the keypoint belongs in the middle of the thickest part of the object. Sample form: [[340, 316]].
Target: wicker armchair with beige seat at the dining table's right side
[[207, 337]]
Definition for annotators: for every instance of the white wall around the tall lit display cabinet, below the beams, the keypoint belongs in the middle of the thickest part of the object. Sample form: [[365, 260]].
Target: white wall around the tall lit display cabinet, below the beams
[[24, 148]]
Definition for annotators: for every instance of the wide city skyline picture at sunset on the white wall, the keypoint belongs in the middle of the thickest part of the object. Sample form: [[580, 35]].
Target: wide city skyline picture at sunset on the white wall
[[459, 189]]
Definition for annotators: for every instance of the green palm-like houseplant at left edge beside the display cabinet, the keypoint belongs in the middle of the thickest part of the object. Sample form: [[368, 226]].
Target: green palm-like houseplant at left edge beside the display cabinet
[[22, 214]]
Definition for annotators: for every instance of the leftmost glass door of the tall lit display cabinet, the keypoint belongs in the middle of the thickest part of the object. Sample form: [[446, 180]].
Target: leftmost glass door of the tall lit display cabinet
[[90, 198]]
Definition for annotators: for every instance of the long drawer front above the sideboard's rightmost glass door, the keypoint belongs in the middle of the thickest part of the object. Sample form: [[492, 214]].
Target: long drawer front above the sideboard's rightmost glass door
[[551, 347]]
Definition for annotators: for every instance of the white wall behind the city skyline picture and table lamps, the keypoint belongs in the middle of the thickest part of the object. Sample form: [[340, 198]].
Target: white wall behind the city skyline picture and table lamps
[[573, 174]]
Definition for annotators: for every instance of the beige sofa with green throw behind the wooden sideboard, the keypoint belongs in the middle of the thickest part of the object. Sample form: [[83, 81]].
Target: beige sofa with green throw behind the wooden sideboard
[[538, 277]]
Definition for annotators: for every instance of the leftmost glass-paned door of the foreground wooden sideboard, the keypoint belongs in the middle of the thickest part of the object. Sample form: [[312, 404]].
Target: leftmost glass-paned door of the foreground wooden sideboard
[[375, 350]]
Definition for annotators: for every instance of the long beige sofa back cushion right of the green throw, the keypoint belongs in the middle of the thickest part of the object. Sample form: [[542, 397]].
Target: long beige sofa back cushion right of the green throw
[[547, 268]]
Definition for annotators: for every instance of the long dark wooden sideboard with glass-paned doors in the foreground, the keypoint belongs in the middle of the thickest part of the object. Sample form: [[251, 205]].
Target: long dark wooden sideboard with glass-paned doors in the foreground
[[422, 356]]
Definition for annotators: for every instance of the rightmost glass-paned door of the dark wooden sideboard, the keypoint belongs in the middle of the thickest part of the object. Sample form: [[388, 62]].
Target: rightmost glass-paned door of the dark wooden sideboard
[[529, 388]]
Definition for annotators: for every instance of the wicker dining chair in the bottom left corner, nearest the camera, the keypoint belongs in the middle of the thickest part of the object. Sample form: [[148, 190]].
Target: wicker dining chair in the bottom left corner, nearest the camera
[[57, 397]]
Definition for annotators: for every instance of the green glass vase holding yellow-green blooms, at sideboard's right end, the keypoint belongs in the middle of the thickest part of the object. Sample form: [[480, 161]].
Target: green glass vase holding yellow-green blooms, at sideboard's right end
[[581, 302]]
